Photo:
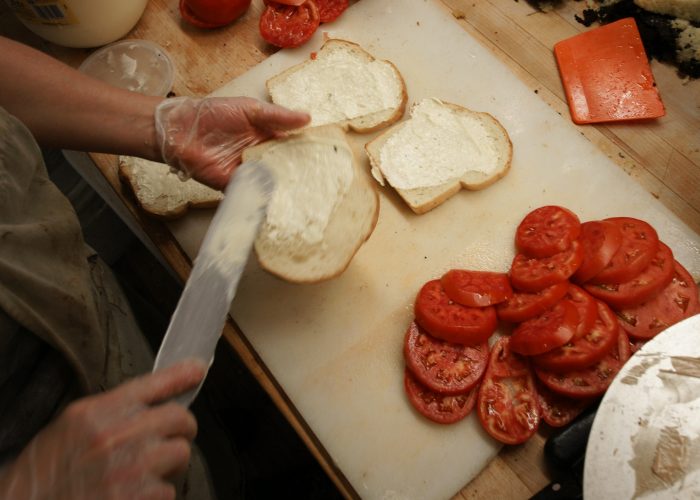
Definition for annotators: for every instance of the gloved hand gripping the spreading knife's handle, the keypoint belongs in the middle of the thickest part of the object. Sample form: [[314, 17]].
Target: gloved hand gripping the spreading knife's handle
[[122, 444]]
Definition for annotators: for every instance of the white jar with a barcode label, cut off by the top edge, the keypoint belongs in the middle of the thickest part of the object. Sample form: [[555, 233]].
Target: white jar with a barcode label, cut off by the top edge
[[79, 23]]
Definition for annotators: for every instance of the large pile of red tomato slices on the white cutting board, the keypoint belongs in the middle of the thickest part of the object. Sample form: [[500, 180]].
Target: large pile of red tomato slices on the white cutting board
[[579, 299]]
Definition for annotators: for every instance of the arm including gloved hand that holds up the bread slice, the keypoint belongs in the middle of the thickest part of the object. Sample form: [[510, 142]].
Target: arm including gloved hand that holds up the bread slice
[[64, 108]]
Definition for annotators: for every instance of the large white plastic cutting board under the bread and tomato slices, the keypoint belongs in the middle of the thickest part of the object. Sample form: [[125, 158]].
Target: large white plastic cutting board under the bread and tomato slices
[[336, 347]]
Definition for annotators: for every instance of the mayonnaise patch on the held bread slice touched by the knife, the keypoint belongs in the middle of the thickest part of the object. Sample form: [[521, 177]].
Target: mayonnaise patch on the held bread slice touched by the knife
[[305, 195]]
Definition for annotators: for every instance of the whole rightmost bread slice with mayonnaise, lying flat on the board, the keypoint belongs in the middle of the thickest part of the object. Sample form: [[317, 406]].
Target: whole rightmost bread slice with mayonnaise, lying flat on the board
[[441, 149]]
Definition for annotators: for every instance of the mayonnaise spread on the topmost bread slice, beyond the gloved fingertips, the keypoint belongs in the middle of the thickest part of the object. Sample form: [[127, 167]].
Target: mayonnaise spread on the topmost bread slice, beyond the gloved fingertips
[[340, 87]]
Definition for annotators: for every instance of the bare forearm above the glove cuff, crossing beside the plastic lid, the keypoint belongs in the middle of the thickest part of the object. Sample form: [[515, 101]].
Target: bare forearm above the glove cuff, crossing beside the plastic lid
[[64, 108]]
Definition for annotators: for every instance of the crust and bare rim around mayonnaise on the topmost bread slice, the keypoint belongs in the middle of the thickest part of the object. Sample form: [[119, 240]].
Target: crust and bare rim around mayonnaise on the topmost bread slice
[[354, 124]]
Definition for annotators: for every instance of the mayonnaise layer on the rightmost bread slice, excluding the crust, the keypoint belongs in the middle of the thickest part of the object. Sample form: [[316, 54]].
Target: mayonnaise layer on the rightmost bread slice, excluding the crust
[[435, 146]]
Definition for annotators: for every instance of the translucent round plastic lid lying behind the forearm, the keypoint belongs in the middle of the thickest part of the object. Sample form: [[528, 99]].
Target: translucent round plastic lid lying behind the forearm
[[136, 65]]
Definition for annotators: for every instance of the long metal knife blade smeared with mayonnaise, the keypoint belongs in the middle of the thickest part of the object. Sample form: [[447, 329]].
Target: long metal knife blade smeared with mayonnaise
[[196, 324]]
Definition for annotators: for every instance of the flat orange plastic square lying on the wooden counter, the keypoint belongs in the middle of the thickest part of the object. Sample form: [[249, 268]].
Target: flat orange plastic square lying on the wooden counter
[[606, 75]]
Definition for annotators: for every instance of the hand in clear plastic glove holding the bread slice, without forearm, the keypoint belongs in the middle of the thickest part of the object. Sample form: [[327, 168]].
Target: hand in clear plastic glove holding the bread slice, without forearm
[[204, 138]]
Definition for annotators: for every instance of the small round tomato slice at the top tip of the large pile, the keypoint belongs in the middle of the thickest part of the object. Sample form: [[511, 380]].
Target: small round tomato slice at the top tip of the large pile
[[547, 231]]
